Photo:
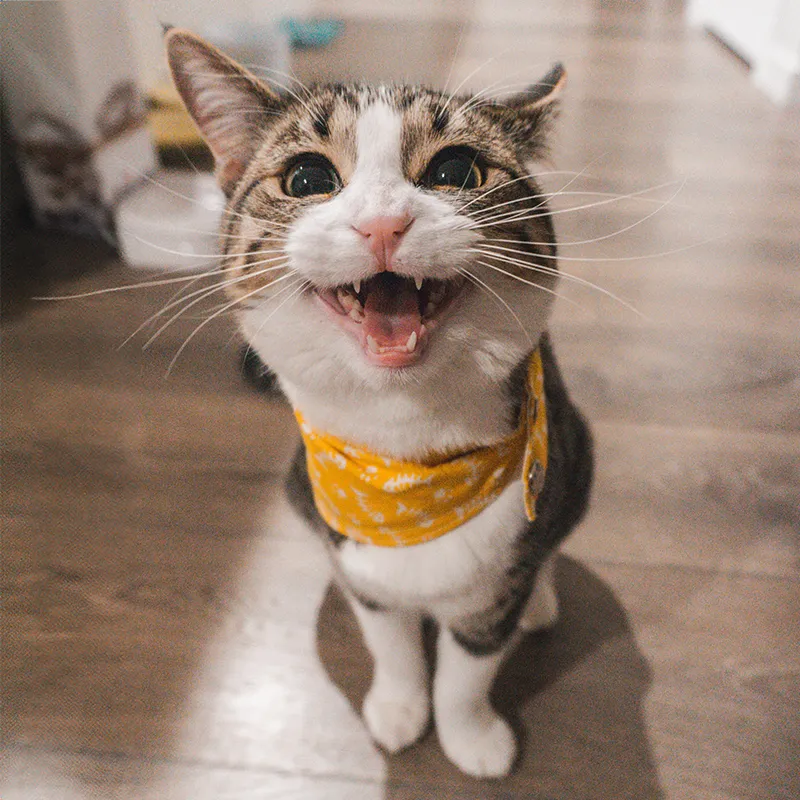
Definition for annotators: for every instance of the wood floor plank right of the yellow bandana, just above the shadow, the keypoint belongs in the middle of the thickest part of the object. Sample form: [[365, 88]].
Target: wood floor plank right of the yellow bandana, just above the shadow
[[725, 502]]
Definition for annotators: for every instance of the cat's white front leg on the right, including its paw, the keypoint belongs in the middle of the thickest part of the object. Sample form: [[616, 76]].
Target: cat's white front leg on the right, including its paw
[[472, 734]]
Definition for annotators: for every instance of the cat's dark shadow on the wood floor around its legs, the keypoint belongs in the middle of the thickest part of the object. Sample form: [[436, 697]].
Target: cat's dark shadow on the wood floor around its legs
[[574, 695]]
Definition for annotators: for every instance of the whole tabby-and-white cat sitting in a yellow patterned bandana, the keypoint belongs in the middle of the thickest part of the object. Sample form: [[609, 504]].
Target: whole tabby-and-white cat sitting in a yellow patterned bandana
[[393, 263]]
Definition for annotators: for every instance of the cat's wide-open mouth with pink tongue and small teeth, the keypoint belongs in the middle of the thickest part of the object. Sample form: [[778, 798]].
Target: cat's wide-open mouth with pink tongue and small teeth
[[391, 316]]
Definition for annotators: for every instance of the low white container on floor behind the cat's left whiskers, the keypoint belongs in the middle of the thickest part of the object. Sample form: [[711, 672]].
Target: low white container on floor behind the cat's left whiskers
[[170, 221]]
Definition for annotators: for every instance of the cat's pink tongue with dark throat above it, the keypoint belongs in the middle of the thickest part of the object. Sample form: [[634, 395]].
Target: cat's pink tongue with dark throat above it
[[391, 313]]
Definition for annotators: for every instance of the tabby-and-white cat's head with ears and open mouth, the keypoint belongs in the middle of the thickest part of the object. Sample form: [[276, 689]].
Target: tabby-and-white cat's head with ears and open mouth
[[377, 235]]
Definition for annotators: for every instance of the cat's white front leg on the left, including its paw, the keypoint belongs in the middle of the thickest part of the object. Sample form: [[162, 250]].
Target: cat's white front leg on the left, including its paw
[[397, 706]]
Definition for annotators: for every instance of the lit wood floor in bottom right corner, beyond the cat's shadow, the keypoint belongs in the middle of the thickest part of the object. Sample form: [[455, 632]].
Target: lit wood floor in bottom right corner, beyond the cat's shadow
[[724, 705]]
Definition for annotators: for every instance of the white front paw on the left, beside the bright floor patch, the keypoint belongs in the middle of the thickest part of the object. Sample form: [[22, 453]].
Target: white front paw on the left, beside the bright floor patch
[[396, 719]]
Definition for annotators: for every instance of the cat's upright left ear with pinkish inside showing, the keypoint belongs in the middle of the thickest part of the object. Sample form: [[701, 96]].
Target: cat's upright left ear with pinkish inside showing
[[225, 101]]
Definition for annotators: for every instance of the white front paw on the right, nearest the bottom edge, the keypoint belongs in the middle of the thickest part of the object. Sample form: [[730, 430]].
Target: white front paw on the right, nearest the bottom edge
[[483, 746]]
